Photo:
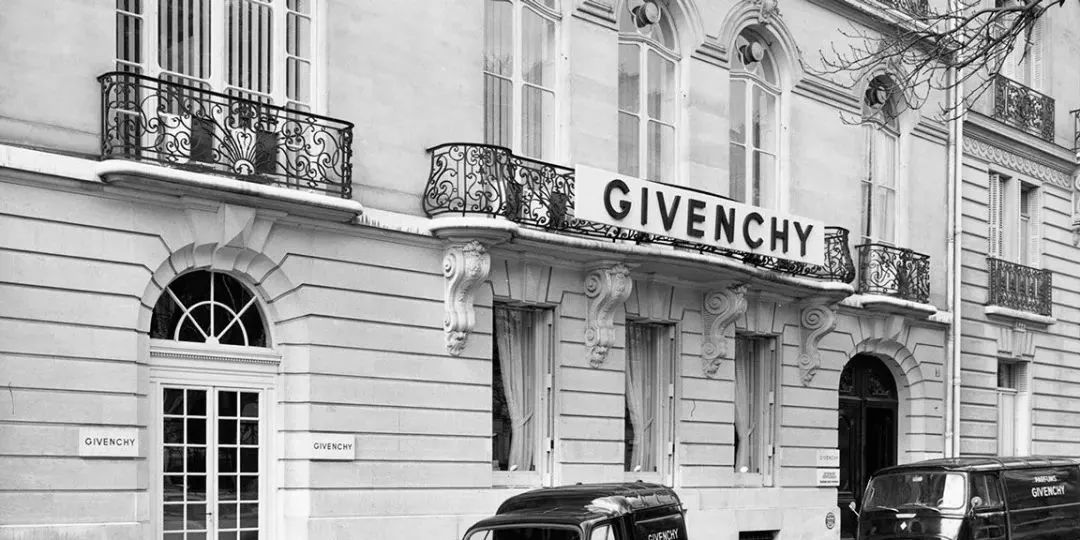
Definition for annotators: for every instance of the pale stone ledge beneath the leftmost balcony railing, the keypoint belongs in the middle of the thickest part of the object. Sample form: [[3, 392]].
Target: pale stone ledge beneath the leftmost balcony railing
[[221, 187]]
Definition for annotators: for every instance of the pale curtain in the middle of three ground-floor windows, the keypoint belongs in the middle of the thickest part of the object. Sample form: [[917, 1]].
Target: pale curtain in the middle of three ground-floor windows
[[642, 396]]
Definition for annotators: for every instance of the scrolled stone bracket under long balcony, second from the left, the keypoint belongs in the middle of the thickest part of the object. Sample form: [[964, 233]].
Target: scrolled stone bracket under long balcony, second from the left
[[606, 289]]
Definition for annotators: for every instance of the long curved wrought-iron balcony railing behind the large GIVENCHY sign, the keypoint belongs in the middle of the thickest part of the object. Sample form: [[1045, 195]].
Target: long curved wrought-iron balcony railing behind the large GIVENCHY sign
[[474, 180]]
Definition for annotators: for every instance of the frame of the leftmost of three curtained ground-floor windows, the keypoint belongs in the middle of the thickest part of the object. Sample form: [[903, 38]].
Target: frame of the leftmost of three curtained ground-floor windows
[[545, 413]]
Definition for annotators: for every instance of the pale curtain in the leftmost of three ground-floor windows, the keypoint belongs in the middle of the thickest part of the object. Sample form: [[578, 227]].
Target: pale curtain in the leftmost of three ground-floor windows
[[517, 360]]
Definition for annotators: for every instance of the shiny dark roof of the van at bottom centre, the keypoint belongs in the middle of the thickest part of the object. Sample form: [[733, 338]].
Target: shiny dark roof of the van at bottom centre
[[583, 503]]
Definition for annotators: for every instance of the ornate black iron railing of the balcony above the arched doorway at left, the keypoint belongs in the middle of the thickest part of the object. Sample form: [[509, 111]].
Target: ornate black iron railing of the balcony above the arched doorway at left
[[147, 119]]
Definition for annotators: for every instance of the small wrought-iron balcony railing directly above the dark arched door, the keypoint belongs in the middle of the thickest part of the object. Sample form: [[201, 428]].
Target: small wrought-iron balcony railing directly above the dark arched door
[[894, 272]]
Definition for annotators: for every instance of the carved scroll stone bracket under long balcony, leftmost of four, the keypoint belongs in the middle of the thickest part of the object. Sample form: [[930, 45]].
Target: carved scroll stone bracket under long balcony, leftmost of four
[[465, 266]]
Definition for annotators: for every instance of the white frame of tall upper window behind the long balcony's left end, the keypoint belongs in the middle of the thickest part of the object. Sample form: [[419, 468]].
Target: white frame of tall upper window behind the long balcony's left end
[[518, 85]]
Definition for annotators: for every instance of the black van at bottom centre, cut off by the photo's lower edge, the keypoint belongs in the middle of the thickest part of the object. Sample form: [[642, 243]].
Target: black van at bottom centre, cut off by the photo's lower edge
[[633, 511]]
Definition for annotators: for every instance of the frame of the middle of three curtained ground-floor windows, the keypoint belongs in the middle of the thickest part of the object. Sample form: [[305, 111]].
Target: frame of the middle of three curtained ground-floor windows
[[665, 353]]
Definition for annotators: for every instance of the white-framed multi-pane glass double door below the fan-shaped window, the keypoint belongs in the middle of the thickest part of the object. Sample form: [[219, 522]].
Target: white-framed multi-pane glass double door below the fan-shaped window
[[211, 474]]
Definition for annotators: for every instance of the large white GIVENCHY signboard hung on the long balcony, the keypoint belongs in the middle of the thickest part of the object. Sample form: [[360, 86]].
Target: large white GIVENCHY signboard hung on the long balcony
[[684, 214]]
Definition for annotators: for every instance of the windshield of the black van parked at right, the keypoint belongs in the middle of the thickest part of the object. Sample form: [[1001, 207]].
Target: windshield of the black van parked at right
[[912, 490]]
